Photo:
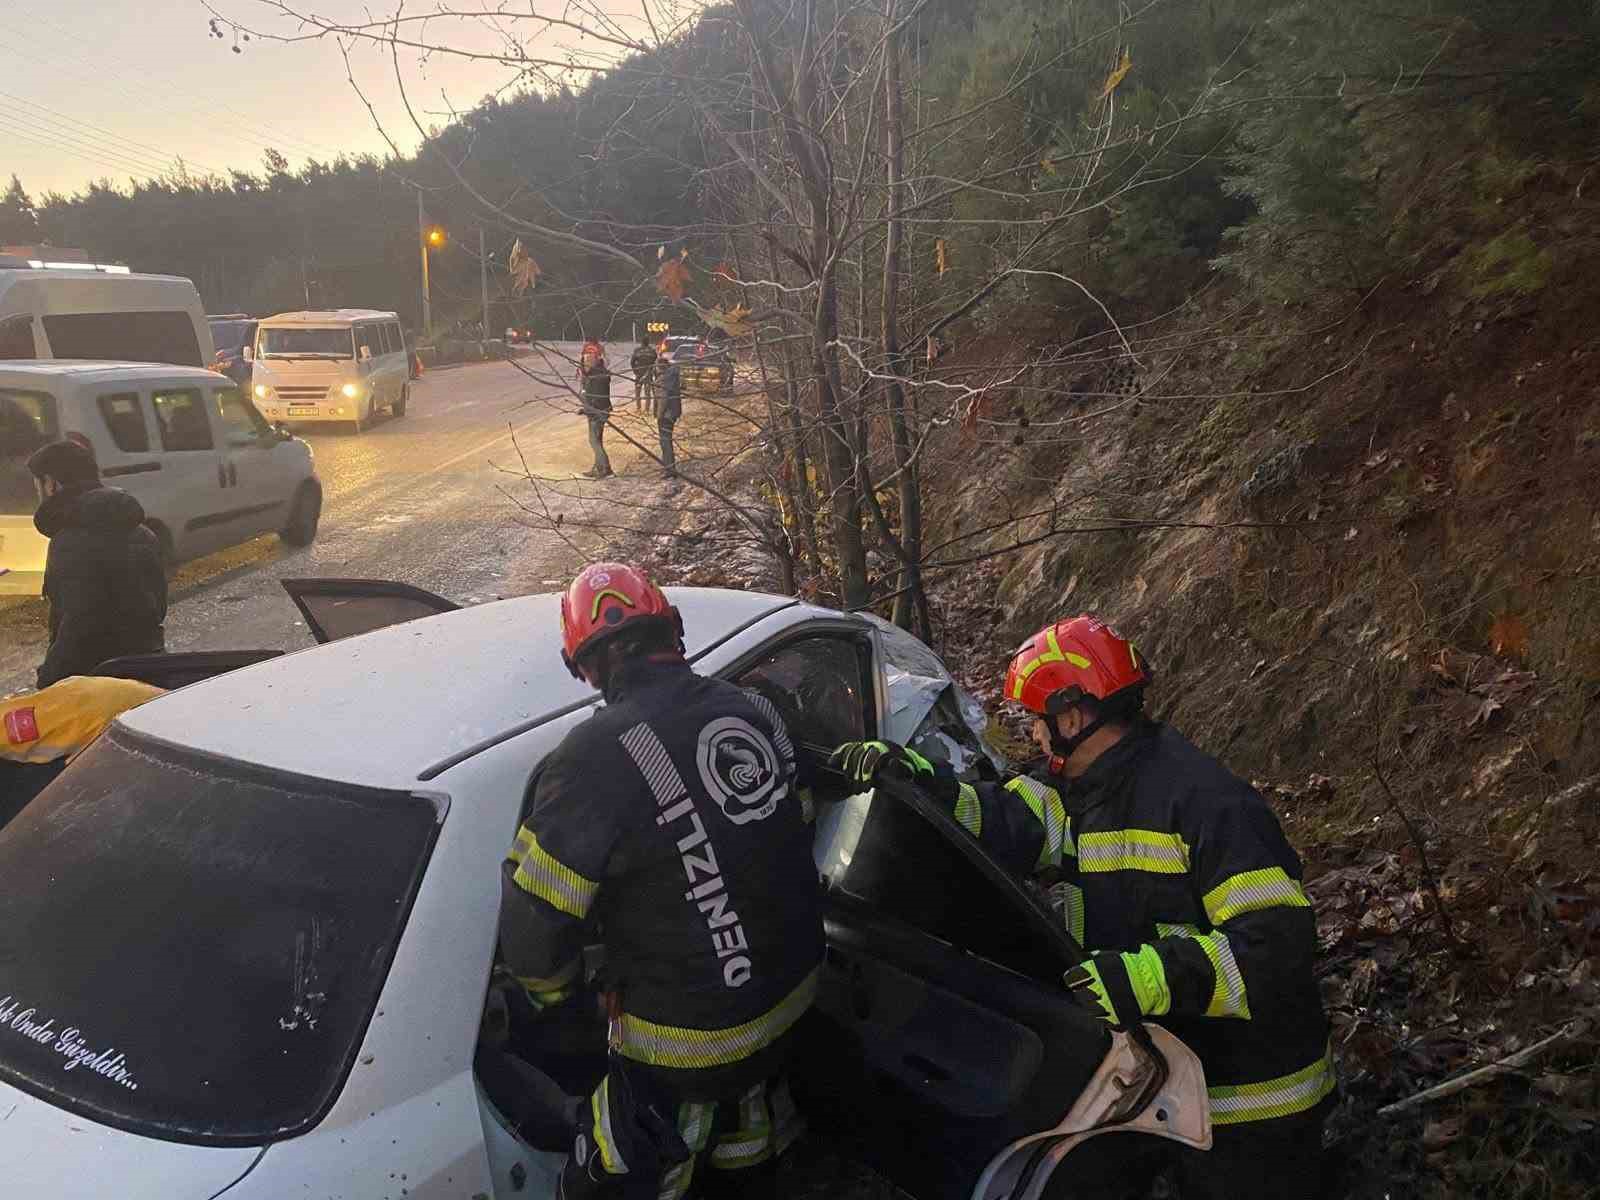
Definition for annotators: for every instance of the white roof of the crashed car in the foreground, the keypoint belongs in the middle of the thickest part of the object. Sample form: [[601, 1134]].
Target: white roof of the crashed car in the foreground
[[386, 706]]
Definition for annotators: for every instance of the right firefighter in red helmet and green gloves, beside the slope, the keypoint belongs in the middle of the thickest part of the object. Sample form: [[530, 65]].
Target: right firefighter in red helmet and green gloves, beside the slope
[[1180, 884]]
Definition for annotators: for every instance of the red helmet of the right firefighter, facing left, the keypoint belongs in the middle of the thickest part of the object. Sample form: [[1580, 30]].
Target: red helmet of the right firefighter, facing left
[[1071, 660]]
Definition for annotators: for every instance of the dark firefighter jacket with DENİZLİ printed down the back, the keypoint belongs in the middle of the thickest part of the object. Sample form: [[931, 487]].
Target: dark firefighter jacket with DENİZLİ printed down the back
[[674, 820]]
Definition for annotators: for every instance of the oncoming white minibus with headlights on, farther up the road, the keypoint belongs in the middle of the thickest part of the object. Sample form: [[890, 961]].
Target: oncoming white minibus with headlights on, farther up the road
[[340, 366]]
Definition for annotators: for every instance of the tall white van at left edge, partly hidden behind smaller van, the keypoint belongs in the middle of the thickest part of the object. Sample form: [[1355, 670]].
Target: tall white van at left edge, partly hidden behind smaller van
[[108, 314]]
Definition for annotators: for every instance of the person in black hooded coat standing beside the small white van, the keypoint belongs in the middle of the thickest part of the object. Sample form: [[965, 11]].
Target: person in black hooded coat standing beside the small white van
[[105, 577]]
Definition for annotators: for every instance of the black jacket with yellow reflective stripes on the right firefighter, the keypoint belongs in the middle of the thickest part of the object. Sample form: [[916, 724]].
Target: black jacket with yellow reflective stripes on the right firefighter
[[1161, 846]]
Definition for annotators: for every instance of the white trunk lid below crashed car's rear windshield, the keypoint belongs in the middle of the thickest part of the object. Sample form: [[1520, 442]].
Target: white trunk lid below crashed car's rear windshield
[[49, 1154]]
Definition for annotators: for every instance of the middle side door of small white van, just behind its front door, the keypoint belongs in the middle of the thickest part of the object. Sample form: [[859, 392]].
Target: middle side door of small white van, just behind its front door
[[194, 478]]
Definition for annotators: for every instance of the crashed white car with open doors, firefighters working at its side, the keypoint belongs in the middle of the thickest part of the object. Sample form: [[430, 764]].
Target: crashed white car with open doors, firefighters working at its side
[[247, 940]]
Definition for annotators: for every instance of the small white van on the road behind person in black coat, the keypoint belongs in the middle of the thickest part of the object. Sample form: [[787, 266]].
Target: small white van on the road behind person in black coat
[[186, 444]]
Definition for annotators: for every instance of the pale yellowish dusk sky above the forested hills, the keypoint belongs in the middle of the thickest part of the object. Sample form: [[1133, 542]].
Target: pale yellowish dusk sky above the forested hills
[[118, 89]]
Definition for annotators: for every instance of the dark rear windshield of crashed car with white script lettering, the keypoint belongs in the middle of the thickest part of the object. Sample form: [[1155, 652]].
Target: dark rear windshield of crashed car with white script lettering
[[193, 948]]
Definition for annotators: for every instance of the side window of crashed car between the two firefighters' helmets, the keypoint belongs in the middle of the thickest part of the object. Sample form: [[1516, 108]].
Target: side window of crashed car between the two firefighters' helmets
[[822, 686]]
